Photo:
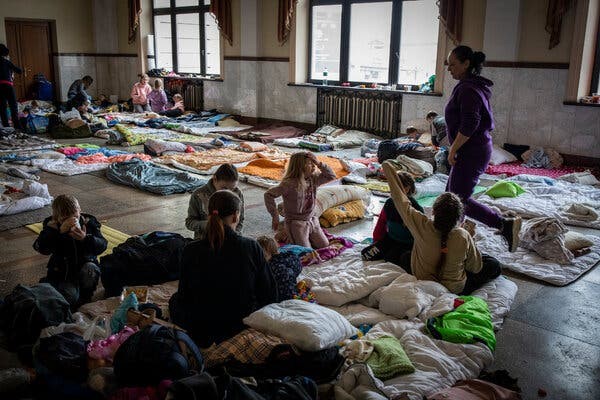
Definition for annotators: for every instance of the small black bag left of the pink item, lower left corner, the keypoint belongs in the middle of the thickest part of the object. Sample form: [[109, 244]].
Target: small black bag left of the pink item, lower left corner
[[65, 354]]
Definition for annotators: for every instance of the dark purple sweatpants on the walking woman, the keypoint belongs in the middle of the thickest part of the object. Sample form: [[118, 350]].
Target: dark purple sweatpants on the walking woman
[[463, 178]]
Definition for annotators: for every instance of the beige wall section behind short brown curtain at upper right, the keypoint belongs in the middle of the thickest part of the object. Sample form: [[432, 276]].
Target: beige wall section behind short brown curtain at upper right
[[533, 44]]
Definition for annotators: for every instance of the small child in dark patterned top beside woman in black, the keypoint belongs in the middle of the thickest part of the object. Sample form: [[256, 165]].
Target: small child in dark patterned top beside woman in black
[[285, 267]]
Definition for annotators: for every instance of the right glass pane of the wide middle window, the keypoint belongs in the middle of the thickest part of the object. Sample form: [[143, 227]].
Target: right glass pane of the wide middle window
[[418, 41]]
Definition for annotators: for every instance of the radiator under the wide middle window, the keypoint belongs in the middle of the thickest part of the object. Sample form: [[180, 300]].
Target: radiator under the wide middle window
[[370, 111]]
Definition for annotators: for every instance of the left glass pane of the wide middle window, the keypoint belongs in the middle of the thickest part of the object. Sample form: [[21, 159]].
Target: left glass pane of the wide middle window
[[326, 39]]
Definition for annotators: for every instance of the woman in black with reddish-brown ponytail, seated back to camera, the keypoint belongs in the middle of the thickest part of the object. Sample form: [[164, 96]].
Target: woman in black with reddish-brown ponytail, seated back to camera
[[224, 277]]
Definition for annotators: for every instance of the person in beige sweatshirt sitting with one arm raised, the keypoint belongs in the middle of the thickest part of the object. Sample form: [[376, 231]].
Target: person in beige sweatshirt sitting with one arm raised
[[442, 251]]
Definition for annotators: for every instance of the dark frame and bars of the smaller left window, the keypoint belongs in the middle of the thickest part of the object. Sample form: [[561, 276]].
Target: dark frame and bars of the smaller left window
[[173, 11]]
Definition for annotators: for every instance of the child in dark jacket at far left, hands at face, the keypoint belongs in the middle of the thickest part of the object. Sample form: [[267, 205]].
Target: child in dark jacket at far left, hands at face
[[73, 240]]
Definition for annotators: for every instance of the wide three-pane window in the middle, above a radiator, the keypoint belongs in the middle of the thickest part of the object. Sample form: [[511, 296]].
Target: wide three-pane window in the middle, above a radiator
[[370, 41]]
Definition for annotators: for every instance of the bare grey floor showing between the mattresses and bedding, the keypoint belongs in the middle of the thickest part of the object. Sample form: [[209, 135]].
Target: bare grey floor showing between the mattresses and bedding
[[549, 340]]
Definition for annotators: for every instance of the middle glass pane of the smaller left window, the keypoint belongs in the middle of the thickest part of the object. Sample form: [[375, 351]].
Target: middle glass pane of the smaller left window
[[188, 43]]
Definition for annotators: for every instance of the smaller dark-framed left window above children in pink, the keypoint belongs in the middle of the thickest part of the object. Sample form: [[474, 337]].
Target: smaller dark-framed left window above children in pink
[[186, 37]]
